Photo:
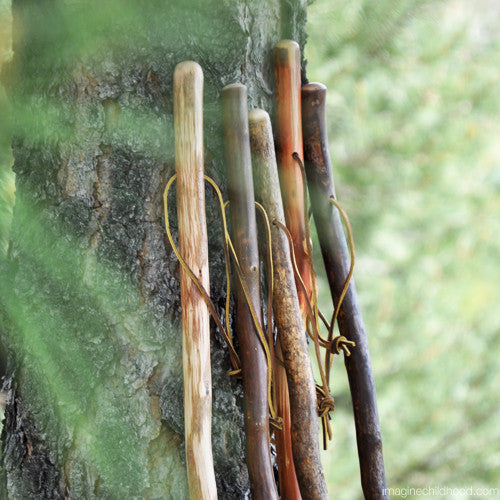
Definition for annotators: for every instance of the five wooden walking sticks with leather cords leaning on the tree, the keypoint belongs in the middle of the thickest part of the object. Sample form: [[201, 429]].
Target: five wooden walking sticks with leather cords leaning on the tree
[[270, 174]]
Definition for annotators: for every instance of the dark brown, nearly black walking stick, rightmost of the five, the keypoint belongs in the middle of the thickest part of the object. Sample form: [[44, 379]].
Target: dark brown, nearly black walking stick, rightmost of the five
[[336, 258]]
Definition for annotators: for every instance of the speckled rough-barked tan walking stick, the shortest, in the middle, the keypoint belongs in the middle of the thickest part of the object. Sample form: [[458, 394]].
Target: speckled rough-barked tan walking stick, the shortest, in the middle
[[303, 402]]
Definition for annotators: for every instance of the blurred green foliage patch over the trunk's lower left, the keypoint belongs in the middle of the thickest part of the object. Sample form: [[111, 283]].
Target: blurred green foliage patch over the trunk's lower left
[[76, 324]]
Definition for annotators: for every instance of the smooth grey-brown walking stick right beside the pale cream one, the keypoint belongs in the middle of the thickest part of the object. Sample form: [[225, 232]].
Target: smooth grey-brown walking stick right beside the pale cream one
[[254, 362]]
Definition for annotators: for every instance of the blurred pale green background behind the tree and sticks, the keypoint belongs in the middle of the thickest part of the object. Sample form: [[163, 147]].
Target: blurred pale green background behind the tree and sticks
[[413, 116]]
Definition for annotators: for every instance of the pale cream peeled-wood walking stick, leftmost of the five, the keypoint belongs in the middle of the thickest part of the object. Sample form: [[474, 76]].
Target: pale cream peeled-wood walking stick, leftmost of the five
[[188, 125]]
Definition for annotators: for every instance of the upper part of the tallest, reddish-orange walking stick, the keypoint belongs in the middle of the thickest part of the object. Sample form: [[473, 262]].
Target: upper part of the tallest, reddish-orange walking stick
[[288, 136]]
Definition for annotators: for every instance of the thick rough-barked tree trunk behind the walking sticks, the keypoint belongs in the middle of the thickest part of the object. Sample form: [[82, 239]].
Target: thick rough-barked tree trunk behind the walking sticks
[[90, 299]]
